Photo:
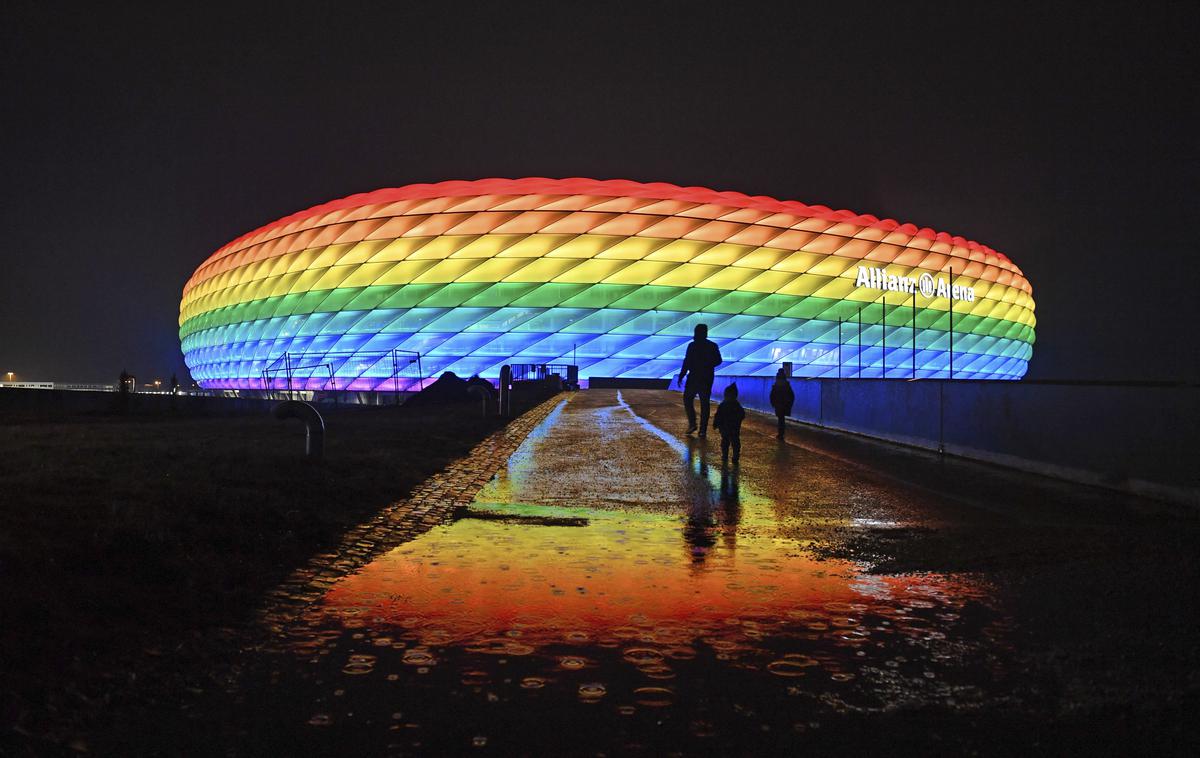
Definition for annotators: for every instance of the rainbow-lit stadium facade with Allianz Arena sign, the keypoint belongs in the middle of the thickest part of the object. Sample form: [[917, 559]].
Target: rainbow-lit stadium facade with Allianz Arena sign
[[609, 275]]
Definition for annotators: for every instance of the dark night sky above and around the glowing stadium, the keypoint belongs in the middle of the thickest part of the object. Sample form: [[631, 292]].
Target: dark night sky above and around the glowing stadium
[[136, 142]]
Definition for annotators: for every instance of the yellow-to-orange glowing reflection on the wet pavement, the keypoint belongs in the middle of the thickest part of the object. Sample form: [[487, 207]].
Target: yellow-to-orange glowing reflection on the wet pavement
[[719, 579]]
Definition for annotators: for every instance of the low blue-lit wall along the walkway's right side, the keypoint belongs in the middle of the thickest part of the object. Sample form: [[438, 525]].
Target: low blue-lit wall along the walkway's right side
[[1138, 438]]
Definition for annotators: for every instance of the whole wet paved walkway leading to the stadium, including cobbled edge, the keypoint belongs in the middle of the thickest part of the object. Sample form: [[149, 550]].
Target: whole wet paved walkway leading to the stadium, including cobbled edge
[[593, 580]]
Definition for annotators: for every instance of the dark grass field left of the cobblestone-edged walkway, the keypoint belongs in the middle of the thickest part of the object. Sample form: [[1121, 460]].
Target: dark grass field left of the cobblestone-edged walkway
[[125, 538]]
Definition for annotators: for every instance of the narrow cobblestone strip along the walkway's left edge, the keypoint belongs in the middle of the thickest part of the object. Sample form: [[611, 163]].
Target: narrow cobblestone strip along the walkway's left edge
[[431, 504]]
